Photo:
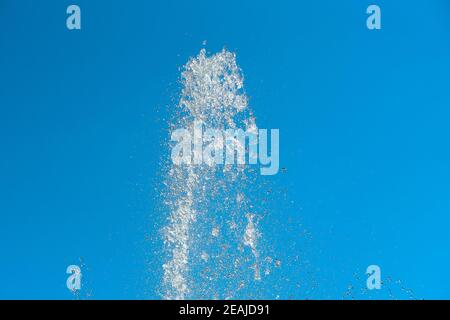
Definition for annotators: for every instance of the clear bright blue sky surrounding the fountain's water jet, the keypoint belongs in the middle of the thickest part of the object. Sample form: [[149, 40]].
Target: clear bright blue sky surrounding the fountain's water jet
[[363, 118]]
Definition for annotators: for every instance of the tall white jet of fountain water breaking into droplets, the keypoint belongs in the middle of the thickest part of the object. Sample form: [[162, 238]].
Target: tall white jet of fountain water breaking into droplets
[[211, 237]]
